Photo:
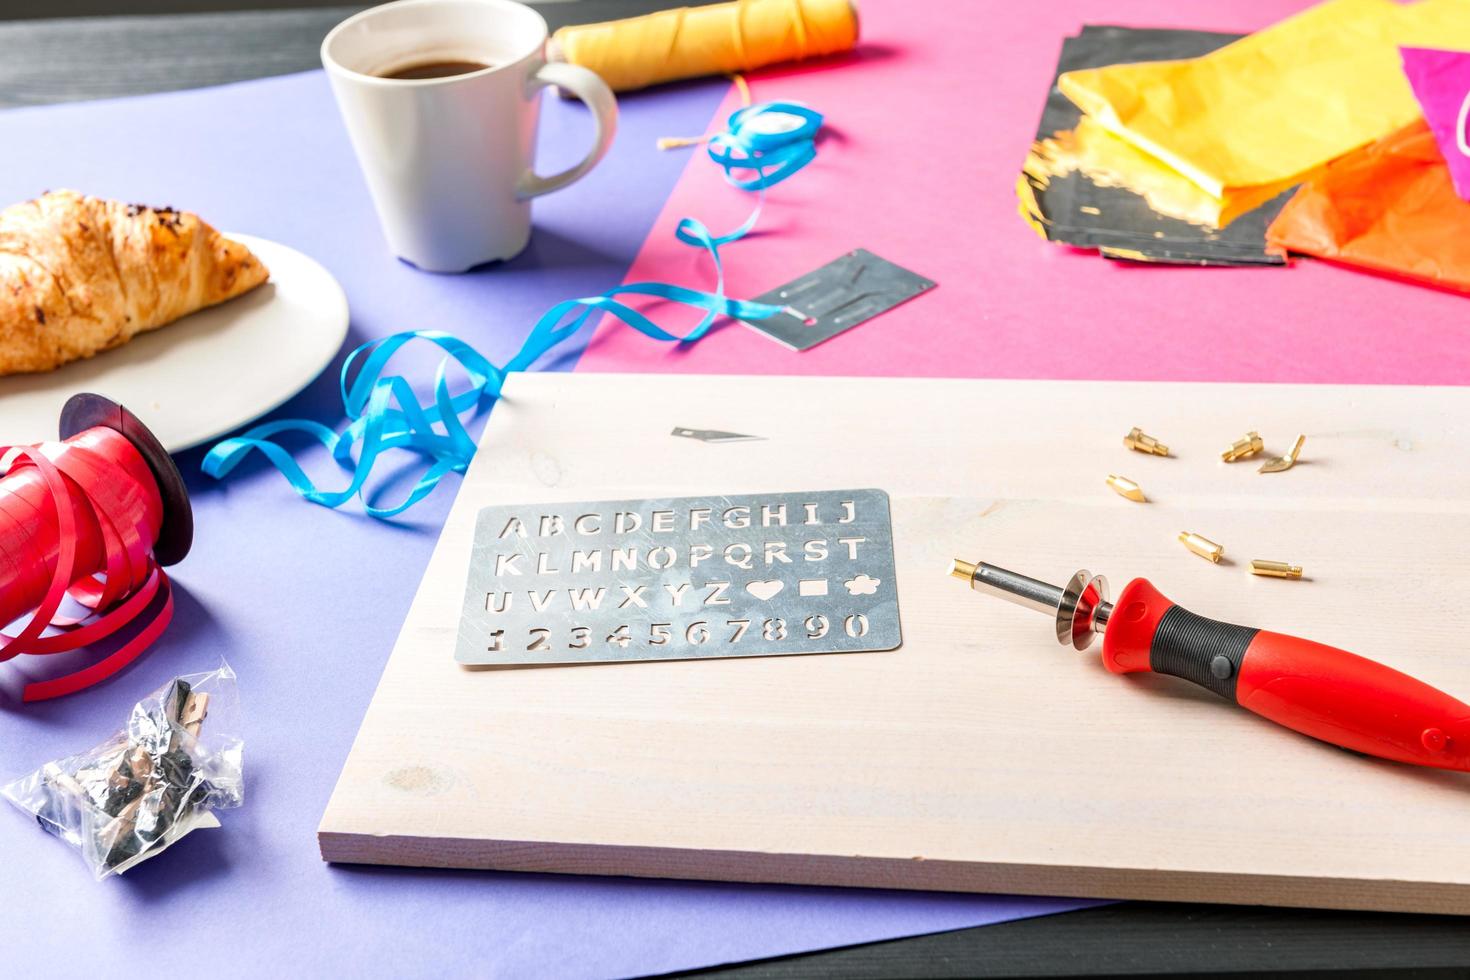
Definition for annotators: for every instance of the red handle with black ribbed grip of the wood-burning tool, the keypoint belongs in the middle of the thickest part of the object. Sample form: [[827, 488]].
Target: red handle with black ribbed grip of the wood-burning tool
[[1316, 690]]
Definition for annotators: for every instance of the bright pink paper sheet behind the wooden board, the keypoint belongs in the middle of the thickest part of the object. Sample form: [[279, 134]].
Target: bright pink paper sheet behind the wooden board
[[927, 133]]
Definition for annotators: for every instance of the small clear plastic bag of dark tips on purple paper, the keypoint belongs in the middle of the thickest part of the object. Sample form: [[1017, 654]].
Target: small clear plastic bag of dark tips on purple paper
[[143, 790]]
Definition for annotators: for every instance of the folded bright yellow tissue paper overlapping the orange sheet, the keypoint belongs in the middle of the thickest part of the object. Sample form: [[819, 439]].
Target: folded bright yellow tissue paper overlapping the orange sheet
[[1271, 108]]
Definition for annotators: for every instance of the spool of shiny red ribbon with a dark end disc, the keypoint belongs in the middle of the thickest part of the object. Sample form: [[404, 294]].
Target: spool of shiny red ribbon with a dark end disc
[[104, 502]]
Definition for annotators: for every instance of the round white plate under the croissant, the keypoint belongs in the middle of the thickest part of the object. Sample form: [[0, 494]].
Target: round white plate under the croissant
[[209, 372]]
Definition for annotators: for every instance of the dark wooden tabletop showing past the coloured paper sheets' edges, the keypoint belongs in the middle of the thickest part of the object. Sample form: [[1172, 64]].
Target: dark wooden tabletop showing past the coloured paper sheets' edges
[[51, 61]]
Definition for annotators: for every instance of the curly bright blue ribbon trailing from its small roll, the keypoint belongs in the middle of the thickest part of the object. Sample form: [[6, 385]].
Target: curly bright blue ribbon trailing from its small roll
[[768, 142]]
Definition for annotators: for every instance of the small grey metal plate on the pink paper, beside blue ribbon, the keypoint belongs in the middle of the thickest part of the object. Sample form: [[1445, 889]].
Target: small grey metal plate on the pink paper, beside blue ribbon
[[837, 298]]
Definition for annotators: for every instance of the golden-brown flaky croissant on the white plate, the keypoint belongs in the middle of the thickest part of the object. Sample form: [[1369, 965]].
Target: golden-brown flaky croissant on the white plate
[[80, 275]]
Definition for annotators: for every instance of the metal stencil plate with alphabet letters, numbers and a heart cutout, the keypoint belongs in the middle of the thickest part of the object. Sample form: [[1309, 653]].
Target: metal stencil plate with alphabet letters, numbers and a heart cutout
[[753, 575]]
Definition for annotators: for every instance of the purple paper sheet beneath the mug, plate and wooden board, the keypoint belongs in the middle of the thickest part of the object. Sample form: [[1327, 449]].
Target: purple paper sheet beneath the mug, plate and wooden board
[[306, 603]]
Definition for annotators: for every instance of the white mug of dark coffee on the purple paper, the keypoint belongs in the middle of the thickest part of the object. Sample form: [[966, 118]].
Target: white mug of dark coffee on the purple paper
[[449, 161]]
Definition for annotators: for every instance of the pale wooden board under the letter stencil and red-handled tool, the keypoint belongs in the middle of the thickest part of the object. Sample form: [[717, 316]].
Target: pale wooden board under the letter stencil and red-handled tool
[[980, 756]]
